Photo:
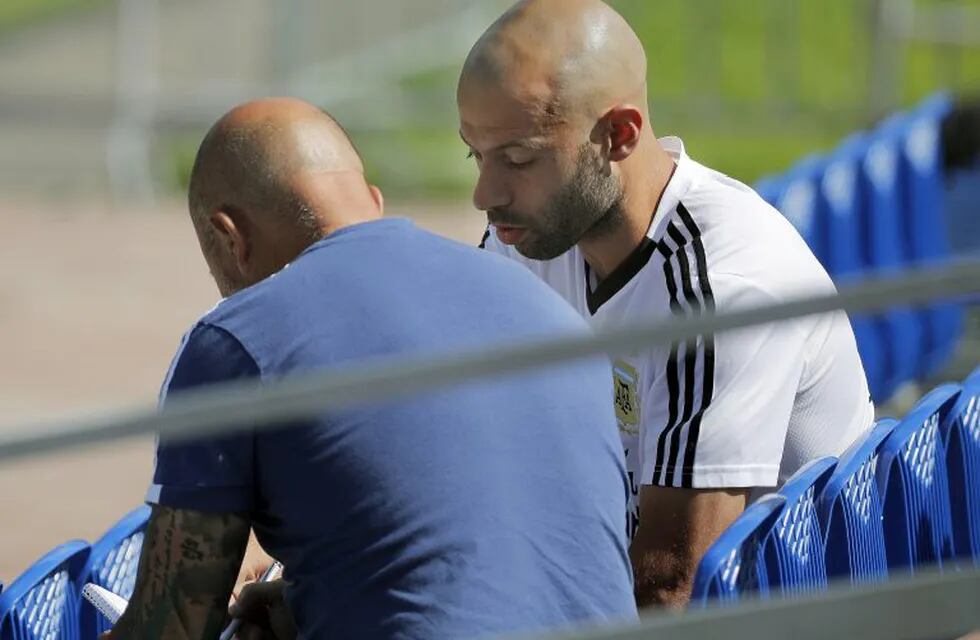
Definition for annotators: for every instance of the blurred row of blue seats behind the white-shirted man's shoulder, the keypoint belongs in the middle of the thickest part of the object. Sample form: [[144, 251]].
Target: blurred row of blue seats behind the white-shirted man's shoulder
[[877, 204]]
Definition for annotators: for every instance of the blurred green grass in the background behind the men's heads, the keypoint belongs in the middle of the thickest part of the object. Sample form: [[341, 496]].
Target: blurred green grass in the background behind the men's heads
[[751, 86]]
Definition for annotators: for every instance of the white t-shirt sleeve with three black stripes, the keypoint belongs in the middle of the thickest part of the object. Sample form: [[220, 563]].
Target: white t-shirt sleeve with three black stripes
[[726, 399]]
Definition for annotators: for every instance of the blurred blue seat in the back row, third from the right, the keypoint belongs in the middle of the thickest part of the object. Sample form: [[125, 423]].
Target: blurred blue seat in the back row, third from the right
[[840, 207]]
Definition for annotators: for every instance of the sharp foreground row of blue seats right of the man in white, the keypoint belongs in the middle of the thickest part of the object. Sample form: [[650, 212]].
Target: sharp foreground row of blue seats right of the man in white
[[905, 496]]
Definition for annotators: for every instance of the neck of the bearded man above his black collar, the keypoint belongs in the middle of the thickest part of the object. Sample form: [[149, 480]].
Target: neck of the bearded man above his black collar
[[645, 177]]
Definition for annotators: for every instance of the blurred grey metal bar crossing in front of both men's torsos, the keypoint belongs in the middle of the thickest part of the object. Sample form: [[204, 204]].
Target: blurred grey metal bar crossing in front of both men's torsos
[[251, 404]]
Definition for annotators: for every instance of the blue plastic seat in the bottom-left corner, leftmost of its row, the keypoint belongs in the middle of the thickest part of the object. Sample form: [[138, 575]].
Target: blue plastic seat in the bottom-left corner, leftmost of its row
[[42, 604]]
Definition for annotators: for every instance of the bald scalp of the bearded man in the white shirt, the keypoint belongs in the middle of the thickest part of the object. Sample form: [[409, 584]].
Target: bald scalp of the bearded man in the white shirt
[[570, 57]]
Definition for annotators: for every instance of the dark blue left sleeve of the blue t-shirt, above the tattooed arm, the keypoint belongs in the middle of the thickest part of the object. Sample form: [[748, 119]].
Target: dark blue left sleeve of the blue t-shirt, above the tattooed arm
[[213, 473]]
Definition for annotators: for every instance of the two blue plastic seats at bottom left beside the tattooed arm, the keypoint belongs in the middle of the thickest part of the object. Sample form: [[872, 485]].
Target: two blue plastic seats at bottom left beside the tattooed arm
[[45, 602]]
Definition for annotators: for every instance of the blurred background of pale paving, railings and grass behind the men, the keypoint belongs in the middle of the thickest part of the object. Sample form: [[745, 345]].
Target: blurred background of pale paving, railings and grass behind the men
[[103, 103]]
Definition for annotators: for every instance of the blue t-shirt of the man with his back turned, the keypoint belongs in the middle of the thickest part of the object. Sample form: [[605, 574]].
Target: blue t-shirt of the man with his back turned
[[483, 508]]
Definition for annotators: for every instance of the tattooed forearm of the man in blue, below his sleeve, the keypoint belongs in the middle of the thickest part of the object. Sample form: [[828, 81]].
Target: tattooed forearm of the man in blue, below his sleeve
[[187, 569]]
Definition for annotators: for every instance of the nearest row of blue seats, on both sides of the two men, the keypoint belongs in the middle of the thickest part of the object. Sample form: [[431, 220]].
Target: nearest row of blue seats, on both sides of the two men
[[904, 496]]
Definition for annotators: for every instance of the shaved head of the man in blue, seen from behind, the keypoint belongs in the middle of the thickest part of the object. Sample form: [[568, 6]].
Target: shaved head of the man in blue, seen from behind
[[280, 173]]
